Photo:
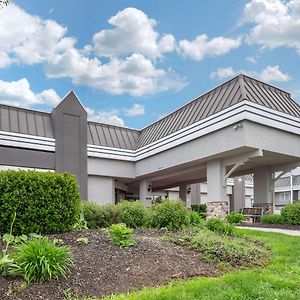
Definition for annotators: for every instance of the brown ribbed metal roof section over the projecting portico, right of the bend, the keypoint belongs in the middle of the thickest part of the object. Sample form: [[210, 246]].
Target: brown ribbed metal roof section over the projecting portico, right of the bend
[[229, 93]]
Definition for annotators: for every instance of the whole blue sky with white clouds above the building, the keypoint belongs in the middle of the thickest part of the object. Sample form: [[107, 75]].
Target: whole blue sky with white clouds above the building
[[132, 62]]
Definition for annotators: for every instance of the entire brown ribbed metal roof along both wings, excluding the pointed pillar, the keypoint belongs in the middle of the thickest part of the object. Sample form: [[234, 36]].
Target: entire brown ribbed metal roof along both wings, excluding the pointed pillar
[[240, 88]]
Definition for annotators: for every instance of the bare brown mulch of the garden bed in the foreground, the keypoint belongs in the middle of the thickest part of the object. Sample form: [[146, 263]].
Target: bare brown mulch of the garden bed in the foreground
[[102, 268]]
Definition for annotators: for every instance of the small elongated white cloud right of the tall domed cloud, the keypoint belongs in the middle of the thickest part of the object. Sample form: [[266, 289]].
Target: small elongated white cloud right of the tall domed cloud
[[202, 47]]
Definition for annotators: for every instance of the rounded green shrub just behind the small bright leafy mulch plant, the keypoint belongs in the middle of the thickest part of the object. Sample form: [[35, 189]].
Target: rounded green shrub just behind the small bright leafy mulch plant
[[133, 214]]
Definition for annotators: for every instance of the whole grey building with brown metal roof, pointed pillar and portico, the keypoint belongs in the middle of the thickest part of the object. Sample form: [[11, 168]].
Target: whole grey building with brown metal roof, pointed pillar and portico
[[241, 127]]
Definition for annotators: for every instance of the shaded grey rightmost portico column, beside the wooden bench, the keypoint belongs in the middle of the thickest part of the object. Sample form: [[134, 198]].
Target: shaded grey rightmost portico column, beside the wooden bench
[[263, 187]]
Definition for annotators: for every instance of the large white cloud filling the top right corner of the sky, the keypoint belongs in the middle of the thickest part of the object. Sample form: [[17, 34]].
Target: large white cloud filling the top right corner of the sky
[[276, 23]]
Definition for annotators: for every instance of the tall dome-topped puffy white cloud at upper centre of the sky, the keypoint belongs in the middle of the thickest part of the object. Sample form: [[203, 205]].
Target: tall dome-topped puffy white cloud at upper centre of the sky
[[133, 33]]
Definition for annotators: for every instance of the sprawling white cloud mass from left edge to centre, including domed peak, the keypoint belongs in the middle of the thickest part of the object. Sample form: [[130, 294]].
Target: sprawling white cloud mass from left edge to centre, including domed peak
[[33, 40]]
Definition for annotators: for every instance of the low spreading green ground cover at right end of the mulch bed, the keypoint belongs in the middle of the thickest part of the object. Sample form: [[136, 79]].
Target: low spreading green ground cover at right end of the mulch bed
[[236, 250]]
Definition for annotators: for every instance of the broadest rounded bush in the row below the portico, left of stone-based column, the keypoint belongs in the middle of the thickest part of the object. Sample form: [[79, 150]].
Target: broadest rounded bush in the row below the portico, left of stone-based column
[[170, 214]]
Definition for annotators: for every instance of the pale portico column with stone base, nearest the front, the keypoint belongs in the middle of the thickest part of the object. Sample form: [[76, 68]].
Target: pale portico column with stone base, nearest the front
[[217, 202]]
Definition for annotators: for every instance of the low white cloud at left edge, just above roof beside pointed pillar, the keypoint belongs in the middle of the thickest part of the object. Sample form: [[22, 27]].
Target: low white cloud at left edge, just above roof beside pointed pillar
[[19, 93]]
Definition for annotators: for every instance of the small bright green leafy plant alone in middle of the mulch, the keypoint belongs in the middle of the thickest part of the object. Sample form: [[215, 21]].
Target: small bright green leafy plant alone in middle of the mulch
[[121, 236]]
